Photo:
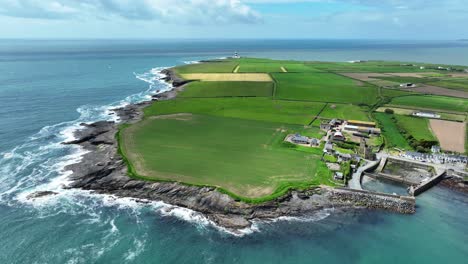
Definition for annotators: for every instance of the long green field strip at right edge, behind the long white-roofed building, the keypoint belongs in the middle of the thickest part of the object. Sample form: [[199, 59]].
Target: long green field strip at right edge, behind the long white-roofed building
[[433, 102]]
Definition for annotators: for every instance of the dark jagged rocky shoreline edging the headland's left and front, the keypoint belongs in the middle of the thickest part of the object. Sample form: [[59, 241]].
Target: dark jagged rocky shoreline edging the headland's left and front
[[103, 170]]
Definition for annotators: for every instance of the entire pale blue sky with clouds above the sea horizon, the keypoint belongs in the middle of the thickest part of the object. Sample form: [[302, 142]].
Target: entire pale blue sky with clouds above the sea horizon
[[227, 19]]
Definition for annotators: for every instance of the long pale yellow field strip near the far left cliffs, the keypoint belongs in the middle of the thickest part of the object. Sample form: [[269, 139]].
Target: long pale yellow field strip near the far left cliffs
[[232, 77]]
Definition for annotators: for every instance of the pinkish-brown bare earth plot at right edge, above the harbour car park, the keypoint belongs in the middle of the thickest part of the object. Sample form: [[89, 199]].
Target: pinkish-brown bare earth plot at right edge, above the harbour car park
[[451, 135]]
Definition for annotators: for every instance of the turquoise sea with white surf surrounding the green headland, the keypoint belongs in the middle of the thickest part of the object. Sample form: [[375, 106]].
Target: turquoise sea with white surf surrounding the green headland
[[48, 87]]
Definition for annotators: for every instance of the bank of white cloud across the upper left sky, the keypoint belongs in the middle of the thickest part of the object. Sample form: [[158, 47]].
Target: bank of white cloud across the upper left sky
[[173, 11]]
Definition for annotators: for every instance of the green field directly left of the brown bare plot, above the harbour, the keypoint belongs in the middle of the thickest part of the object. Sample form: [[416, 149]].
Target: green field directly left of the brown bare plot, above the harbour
[[417, 127]]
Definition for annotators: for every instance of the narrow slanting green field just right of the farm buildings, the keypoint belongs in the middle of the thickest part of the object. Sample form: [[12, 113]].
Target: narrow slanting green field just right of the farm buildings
[[393, 137]]
